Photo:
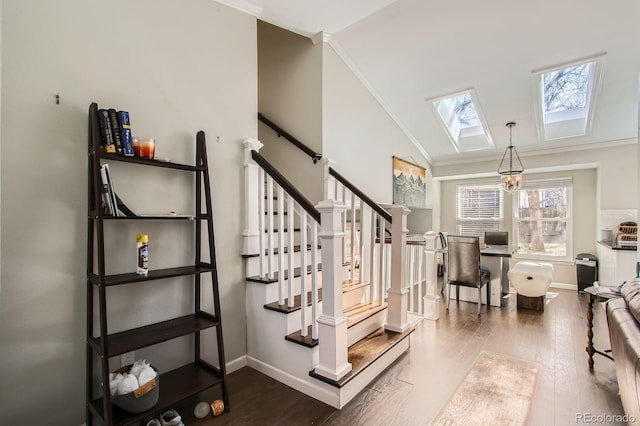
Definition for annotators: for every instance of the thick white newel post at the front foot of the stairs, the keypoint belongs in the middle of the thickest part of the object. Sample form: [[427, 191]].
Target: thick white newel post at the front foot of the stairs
[[332, 324]]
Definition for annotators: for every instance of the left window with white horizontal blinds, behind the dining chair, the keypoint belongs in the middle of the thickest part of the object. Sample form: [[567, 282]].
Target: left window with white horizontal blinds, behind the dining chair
[[479, 209]]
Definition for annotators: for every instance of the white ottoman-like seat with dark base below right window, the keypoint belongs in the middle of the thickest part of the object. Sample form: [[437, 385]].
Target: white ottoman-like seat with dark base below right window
[[531, 281]]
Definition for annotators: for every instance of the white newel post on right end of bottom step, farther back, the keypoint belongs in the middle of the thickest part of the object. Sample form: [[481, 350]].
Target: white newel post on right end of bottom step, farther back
[[398, 292]]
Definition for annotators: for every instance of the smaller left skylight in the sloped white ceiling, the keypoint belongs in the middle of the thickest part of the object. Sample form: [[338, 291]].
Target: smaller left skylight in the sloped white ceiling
[[462, 118]]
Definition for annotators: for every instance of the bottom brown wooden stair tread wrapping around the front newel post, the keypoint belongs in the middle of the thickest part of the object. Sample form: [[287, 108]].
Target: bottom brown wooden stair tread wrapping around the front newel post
[[365, 352]]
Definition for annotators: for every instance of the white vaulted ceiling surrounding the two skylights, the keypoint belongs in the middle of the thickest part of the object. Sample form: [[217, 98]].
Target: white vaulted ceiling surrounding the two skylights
[[408, 51]]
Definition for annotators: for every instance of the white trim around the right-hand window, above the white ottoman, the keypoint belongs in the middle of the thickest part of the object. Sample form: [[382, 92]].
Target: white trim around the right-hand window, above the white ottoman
[[567, 182]]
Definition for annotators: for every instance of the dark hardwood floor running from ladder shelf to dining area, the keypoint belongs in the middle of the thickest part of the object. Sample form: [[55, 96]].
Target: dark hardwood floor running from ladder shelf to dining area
[[413, 391]]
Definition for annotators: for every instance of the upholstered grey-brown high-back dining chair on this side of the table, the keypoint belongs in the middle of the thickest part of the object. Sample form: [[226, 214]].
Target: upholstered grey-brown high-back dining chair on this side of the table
[[464, 267]]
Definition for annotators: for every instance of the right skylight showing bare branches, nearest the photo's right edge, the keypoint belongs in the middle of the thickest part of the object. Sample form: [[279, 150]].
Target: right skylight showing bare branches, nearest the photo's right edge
[[566, 96]]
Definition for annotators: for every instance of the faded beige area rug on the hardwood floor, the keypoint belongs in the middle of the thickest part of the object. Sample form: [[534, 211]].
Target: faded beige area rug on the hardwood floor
[[498, 390]]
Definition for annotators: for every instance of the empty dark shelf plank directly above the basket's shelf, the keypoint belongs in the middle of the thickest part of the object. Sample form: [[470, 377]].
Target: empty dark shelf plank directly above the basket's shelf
[[130, 340]]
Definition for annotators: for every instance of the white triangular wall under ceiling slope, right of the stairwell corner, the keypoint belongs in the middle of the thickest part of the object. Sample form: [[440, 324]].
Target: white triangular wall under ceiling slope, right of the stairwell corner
[[359, 135]]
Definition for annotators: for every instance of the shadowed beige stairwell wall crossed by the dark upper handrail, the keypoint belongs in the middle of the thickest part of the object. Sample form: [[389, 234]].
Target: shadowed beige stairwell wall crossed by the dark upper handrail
[[290, 95]]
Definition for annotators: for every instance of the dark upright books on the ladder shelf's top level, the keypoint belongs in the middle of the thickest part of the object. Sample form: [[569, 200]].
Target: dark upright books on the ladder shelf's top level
[[115, 131]]
